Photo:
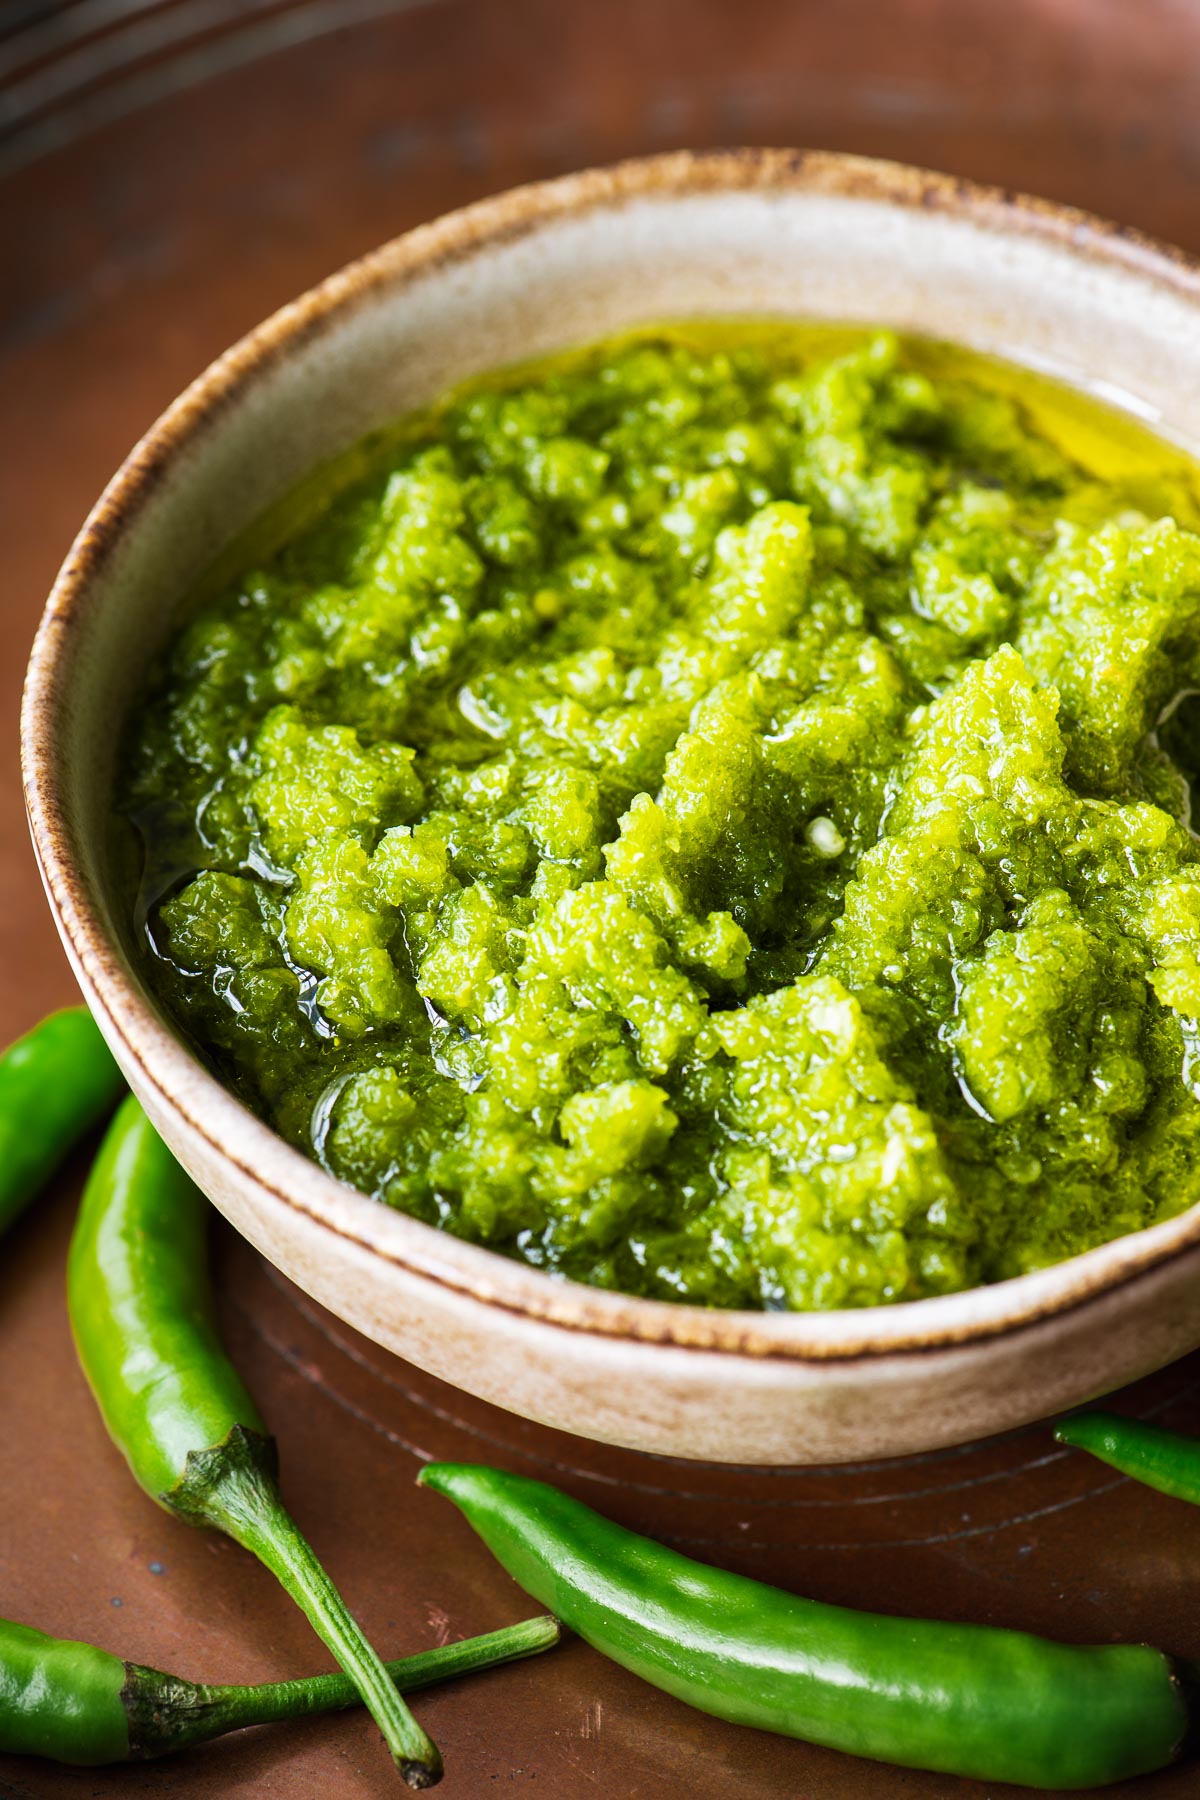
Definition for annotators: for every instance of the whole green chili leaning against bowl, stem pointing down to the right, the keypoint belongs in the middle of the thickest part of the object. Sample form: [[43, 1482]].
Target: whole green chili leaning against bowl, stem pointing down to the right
[[141, 1309]]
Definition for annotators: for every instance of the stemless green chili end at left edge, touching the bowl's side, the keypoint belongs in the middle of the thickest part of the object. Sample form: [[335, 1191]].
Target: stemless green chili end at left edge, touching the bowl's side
[[57, 1084]]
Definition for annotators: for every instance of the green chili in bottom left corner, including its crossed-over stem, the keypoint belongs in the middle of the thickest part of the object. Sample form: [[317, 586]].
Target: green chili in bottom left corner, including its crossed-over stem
[[76, 1704]]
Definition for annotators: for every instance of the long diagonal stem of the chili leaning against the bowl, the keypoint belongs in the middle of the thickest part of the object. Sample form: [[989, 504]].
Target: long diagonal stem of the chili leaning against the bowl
[[246, 1504]]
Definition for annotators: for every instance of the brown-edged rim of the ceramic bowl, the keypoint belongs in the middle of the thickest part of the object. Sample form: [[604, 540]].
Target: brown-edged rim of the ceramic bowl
[[906, 1329]]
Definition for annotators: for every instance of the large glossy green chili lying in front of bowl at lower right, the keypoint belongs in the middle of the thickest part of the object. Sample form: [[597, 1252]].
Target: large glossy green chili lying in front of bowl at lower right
[[962, 1700]]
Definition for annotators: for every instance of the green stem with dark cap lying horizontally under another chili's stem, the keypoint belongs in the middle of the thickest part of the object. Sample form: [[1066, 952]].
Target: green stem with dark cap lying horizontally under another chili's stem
[[168, 1714]]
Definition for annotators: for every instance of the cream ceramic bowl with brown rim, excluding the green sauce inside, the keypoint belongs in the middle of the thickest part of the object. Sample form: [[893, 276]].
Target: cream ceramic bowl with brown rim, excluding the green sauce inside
[[773, 233]]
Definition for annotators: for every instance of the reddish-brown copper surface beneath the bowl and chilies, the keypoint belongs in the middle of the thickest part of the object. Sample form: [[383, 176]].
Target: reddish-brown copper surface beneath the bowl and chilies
[[150, 217]]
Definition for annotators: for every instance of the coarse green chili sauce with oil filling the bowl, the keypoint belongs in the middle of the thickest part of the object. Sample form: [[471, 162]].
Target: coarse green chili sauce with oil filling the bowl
[[708, 816]]
